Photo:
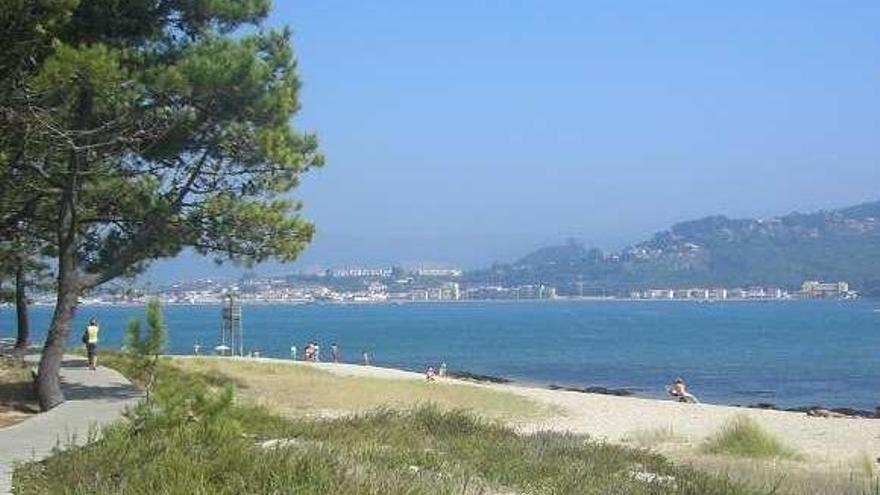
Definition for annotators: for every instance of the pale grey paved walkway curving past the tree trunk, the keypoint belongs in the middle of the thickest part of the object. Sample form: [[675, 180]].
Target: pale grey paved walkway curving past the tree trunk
[[94, 398]]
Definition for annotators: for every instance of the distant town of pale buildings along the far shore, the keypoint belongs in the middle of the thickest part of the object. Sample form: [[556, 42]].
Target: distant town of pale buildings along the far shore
[[396, 285]]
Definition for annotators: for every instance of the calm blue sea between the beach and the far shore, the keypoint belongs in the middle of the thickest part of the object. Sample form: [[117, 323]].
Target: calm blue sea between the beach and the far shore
[[788, 353]]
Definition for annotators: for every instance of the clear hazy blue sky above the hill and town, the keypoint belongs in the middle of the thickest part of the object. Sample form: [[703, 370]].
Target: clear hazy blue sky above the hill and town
[[468, 132]]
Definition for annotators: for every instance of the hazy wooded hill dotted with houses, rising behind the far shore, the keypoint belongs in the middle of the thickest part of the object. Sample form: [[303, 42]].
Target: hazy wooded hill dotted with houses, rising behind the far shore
[[841, 244]]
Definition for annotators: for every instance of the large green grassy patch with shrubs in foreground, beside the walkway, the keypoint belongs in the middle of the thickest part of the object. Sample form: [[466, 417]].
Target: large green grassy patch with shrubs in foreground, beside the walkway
[[194, 437]]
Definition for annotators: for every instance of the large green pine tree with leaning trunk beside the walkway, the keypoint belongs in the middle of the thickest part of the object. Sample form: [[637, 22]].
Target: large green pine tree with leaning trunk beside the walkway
[[138, 128]]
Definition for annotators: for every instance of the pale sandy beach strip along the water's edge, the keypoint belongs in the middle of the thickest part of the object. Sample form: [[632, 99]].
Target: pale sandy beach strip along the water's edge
[[832, 441]]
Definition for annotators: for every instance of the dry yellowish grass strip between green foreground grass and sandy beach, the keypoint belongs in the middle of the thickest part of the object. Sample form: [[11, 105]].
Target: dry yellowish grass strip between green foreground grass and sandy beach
[[298, 389]]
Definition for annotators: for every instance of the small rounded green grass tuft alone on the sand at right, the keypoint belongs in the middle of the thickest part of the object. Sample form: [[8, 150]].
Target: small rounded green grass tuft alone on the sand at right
[[744, 437]]
